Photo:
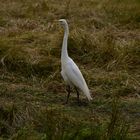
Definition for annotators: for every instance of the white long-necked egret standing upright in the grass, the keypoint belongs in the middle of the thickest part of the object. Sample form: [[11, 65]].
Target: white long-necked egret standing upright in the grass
[[70, 71]]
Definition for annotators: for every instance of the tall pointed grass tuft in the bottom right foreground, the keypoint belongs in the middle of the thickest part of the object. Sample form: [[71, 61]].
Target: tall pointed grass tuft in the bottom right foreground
[[117, 127]]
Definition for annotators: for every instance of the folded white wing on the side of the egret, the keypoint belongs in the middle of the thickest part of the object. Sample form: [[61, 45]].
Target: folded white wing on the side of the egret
[[74, 75]]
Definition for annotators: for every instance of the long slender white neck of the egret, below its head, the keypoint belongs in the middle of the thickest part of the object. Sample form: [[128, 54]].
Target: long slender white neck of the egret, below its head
[[64, 52]]
